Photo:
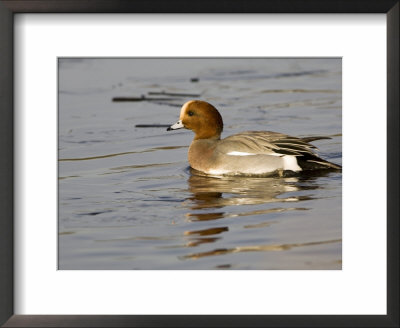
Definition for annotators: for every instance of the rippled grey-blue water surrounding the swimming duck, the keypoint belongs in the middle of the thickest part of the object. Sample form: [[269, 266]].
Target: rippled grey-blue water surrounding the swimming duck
[[128, 199]]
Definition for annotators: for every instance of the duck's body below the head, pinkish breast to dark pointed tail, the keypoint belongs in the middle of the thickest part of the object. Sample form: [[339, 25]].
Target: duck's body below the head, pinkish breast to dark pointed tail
[[256, 152]]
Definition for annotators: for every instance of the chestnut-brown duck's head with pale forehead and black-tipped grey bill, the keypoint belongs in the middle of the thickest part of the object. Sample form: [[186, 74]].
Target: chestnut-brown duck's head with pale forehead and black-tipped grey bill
[[200, 117]]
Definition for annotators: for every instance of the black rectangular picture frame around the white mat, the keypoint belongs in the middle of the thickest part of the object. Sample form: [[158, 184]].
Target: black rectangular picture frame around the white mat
[[10, 7]]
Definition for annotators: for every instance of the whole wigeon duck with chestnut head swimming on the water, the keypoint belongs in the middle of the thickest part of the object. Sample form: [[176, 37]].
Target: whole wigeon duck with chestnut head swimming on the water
[[245, 153]]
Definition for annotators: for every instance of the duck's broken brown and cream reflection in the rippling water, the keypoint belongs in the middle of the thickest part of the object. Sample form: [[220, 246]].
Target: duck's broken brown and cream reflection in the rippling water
[[209, 195]]
